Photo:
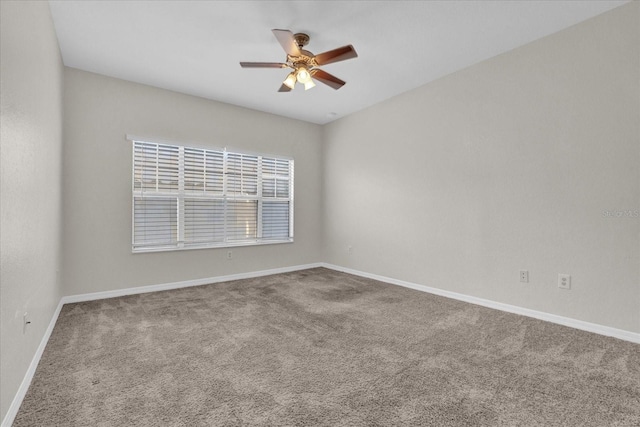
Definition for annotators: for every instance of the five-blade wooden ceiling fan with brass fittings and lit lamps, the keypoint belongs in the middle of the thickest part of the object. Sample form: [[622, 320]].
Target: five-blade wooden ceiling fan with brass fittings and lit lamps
[[304, 63]]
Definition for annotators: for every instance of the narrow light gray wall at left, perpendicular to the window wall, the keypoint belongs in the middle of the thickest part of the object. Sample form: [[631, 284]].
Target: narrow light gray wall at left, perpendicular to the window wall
[[30, 185]]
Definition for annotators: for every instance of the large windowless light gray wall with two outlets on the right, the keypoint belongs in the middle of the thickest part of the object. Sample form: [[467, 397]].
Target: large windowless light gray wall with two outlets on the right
[[503, 166]]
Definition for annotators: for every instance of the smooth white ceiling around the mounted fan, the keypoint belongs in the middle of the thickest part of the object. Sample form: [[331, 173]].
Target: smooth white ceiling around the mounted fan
[[194, 47]]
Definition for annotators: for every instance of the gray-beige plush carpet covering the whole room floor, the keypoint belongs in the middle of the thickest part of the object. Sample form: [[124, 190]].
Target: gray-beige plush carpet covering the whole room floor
[[322, 348]]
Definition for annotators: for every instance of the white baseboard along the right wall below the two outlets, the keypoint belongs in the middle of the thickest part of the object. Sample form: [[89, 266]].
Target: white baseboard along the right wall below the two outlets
[[565, 321]]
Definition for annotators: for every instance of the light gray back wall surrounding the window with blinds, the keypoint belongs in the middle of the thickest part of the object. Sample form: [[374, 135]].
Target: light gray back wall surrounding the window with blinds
[[98, 112]]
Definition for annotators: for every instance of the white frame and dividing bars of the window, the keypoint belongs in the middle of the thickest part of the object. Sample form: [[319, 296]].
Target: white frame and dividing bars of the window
[[183, 197]]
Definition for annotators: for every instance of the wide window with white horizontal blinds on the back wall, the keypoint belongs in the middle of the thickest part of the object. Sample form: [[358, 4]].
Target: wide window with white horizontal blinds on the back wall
[[187, 198]]
